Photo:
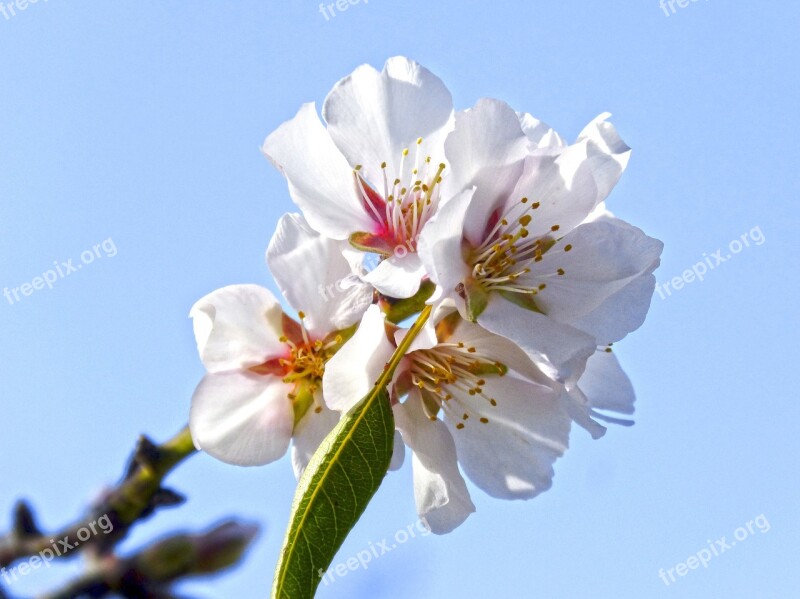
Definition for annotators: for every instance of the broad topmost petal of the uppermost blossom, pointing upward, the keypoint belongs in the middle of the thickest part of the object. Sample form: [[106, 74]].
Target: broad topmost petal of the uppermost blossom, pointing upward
[[373, 116]]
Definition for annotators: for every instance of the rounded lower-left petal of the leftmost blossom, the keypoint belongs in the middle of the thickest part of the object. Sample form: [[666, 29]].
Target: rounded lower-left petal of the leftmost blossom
[[242, 419]]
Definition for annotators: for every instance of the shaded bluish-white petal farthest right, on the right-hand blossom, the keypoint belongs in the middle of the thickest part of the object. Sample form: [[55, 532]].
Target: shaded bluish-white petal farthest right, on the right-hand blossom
[[604, 257]]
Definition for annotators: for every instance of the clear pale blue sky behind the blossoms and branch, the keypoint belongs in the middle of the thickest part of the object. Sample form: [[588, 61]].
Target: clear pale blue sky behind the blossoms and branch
[[141, 121]]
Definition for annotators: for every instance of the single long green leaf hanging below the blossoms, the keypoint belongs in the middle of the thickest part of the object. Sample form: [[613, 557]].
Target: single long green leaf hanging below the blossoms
[[334, 491]]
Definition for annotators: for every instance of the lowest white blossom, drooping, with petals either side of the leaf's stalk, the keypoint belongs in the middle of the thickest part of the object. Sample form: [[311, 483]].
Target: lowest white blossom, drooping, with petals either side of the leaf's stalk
[[501, 419]]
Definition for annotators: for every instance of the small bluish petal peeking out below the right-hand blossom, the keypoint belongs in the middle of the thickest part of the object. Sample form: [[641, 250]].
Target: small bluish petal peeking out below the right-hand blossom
[[606, 385]]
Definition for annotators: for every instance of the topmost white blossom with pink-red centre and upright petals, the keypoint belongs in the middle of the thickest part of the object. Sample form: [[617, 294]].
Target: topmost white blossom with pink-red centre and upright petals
[[372, 175]]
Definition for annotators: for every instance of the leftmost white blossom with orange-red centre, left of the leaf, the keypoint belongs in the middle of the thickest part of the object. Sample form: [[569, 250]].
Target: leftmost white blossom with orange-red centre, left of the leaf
[[265, 369]]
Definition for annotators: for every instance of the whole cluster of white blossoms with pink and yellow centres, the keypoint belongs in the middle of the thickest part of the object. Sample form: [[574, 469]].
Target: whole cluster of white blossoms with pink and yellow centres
[[534, 280]]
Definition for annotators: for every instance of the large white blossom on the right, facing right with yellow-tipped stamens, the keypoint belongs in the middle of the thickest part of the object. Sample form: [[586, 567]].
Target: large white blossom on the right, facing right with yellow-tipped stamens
[[525, 247]]
